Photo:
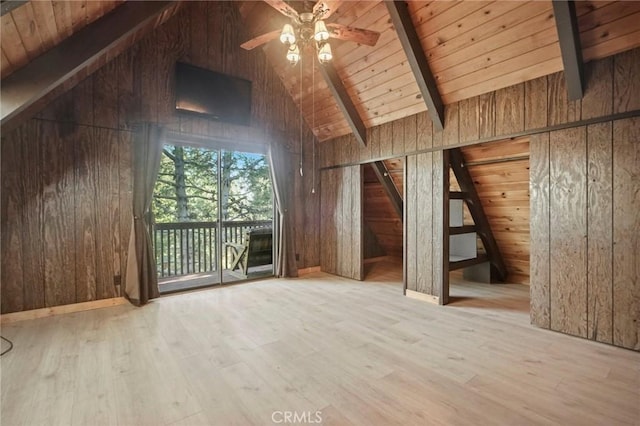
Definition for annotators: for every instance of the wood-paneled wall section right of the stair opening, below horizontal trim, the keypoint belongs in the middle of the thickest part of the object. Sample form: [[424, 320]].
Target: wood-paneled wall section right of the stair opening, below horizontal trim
[[586, 196]]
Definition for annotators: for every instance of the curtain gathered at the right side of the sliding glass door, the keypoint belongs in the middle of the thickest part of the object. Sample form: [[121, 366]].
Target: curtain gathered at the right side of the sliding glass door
[[282, 180]]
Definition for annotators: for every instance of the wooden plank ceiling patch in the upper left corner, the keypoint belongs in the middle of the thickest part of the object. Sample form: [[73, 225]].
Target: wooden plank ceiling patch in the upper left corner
[[36, 26]]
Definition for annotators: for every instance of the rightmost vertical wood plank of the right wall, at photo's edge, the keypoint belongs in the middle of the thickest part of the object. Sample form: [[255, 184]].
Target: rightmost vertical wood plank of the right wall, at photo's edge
[[626, 233]]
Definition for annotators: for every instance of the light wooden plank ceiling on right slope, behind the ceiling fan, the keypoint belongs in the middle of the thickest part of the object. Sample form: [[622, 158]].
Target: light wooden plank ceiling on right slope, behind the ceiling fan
[[473, 47]]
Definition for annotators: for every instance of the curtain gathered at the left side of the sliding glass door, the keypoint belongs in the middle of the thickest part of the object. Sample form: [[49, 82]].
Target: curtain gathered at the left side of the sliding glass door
[[141, 282]]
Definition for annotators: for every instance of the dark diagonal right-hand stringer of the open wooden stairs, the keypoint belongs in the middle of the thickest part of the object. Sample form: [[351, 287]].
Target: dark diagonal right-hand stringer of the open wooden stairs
[[477, 213]]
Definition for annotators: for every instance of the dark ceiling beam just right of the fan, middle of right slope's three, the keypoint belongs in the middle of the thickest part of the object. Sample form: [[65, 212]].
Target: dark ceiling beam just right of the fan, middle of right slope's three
[[410, 42]]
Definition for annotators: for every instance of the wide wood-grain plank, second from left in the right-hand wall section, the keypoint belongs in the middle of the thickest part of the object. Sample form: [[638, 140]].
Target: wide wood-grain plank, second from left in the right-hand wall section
[[568, 230]]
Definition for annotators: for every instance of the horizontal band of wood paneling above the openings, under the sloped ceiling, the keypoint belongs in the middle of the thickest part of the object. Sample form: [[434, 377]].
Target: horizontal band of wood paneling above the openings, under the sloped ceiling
[[527, 108]]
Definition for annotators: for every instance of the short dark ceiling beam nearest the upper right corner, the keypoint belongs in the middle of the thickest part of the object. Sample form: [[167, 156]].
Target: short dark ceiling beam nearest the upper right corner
[[570, 47]]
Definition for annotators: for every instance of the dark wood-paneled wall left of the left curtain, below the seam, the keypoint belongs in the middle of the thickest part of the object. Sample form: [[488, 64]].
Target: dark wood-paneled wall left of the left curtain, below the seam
[[66, 214]]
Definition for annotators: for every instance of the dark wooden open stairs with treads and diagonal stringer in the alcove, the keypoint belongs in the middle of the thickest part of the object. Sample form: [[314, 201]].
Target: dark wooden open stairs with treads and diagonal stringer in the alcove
[[469, 194]]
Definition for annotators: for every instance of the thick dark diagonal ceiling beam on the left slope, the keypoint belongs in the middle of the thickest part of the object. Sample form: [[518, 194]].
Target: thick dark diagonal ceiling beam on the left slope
[[106, 36]]
